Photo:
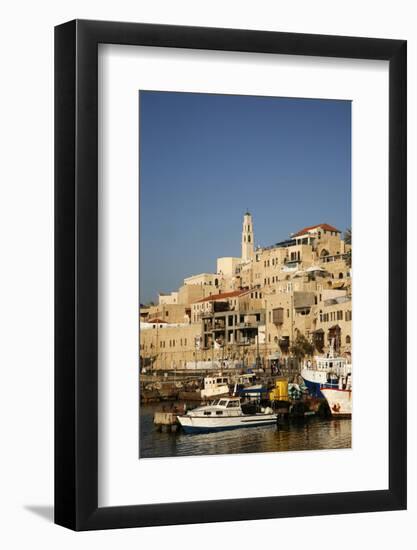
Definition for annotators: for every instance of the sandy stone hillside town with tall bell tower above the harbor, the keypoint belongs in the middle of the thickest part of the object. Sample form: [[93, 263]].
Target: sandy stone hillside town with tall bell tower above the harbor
[[291, 298]]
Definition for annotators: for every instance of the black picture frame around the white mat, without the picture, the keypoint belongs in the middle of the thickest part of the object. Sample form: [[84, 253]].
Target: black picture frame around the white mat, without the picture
[[76, 272]]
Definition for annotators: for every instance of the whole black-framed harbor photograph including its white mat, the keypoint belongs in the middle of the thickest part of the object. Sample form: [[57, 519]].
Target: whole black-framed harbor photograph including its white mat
[[230, 337]]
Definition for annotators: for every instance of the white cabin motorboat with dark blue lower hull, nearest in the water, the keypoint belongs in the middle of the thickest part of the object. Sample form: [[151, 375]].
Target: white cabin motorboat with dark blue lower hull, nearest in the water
[[225, 414]]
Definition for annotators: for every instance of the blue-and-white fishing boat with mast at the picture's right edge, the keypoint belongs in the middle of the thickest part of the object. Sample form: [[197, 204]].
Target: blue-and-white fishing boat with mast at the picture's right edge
[[325, 370]]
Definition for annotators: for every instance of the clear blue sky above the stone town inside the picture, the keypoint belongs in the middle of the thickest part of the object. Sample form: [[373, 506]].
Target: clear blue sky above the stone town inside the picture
[[205, 159]]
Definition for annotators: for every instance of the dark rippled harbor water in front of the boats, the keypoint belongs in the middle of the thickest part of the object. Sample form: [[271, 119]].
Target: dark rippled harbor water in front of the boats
[[313, 433]]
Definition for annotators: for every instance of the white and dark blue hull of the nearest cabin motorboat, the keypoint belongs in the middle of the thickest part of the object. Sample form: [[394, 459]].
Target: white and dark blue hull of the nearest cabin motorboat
[[198, 424]]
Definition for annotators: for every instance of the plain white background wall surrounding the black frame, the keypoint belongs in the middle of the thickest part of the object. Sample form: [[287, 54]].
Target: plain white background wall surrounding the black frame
[[26, 305]]
